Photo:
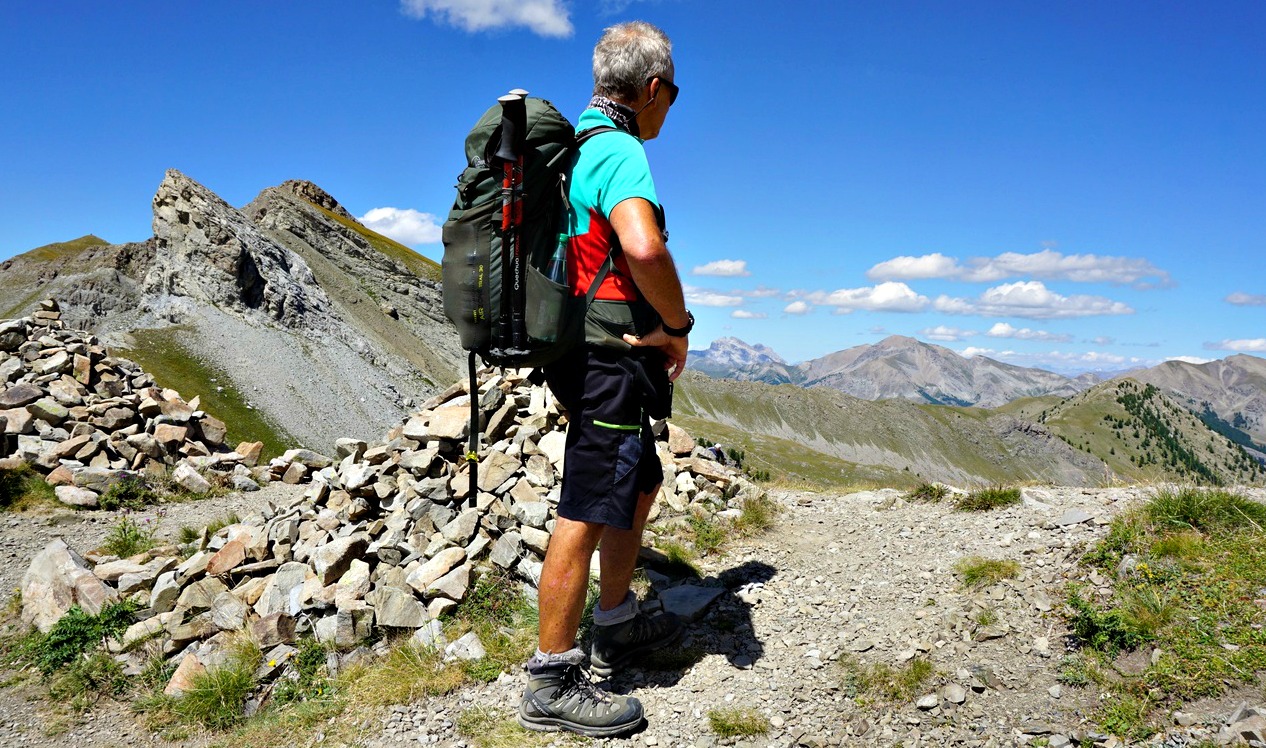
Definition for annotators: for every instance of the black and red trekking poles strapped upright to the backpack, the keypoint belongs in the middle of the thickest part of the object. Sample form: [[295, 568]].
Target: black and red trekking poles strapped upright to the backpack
[[515, 116]]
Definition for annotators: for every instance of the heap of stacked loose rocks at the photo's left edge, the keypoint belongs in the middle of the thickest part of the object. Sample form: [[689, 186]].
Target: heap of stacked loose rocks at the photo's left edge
[[89, 420]]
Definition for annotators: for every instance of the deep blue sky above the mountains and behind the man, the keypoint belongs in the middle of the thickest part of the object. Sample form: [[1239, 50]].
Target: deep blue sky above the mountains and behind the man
[[1075, 185]]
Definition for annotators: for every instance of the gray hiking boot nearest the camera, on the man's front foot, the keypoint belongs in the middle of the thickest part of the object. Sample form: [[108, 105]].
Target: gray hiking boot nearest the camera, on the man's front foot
[[560, 697]]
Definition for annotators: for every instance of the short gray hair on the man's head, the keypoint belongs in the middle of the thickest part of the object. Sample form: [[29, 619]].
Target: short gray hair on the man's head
[[627, 58]]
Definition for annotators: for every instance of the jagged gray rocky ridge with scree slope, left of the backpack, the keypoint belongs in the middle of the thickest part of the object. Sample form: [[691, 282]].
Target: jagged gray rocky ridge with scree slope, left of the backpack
[[294, 301]]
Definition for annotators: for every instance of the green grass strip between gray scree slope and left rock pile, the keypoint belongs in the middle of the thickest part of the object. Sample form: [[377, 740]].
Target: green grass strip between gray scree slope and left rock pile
[[163, 354]]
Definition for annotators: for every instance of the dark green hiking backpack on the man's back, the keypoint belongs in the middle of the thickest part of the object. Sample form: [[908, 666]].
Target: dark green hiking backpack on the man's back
[[505, 266]]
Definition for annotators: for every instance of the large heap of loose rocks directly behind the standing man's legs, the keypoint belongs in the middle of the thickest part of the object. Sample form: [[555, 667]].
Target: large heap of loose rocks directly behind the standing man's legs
[[388, 537]]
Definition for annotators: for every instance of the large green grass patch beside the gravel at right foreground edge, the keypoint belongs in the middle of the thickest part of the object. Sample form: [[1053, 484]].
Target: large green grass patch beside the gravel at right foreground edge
[[1191, 583]]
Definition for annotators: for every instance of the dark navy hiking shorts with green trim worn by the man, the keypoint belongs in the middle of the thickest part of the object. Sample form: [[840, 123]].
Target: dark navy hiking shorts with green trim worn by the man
[[611, 452]]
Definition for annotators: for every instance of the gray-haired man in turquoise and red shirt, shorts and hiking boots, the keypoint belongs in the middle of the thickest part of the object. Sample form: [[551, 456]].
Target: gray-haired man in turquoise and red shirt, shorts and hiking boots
[[612, 387]]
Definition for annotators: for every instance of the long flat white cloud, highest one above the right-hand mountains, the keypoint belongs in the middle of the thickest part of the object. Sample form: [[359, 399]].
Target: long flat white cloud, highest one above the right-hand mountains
[[1045, 265]]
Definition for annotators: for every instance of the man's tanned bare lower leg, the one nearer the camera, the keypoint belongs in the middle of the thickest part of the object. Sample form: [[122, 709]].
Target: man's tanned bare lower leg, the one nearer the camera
[[565, 583]]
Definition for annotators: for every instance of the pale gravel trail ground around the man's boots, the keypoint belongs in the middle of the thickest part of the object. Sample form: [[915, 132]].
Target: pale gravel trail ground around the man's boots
[[864, 577]]
